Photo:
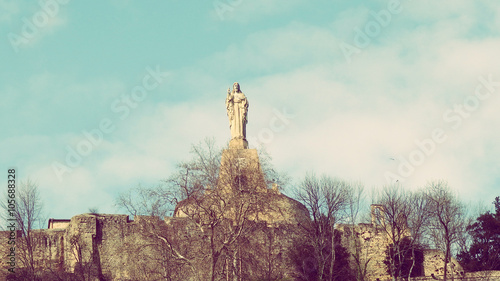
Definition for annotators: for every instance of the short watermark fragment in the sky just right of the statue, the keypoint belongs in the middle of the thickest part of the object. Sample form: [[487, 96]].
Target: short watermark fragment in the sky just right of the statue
[[278, 123]]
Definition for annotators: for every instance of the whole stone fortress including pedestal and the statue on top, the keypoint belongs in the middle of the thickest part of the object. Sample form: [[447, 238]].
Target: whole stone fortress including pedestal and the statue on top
[[238, 229]]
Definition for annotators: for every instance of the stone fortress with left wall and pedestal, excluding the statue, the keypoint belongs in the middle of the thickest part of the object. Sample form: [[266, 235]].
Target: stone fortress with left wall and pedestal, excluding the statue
[[113, 247]]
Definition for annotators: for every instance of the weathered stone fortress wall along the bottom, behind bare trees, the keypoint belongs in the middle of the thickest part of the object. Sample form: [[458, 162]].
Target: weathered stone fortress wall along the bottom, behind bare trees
[[105, 246]]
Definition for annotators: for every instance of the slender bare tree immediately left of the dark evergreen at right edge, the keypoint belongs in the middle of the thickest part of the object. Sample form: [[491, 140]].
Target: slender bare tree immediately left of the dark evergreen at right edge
[[446, 222]]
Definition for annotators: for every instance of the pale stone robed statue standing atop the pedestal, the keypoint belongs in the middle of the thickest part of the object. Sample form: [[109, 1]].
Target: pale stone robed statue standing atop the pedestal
[[237, 108]]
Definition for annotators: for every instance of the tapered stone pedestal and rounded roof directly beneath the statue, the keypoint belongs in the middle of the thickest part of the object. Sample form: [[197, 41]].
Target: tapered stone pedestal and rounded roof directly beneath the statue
[[241, 178]]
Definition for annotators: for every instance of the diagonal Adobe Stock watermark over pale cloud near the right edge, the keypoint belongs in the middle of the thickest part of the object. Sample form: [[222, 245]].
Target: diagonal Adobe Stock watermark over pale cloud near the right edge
[[454, 118]]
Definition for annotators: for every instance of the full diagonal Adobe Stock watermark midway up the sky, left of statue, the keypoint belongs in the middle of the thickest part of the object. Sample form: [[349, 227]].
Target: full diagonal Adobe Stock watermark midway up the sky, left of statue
[[121, 107]]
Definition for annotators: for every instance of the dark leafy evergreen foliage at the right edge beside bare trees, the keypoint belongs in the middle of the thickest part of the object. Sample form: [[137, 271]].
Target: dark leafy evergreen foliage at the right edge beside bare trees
[[484, 251]]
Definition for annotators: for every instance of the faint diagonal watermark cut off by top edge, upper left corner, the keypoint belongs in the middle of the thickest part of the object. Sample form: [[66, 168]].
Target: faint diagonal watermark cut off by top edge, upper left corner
[[31, 28]]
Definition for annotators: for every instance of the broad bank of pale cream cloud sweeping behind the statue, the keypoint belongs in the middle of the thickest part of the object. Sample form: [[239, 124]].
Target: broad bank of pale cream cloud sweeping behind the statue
[[349, 120]]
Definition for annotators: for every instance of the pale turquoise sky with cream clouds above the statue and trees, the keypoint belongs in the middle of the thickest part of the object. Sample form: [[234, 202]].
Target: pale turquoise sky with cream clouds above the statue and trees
[[101, 96]]
